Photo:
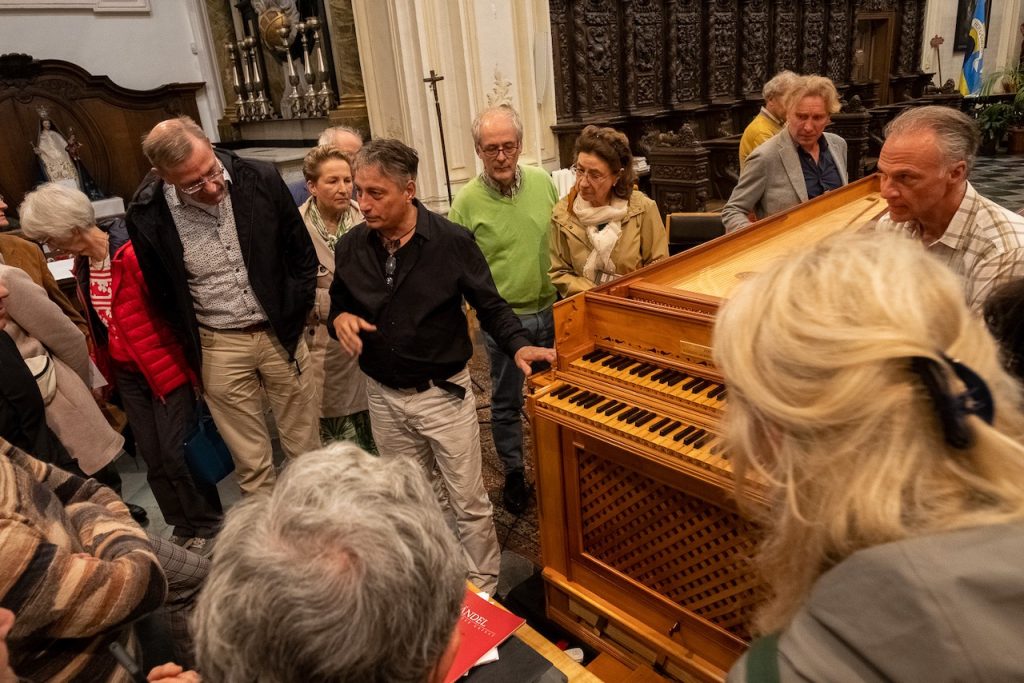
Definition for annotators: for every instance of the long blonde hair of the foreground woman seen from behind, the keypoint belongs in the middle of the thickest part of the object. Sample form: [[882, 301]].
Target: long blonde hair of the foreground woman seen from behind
[[824, 405]]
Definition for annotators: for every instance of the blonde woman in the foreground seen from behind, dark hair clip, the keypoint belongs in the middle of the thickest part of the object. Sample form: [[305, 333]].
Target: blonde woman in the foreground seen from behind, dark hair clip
[[873, 403]]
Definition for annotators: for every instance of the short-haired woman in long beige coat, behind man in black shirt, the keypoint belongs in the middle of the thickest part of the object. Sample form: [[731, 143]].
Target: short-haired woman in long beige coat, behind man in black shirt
[[339, 383]]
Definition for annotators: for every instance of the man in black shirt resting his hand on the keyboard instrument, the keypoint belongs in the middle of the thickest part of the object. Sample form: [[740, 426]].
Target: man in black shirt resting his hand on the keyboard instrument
[[397, 301]]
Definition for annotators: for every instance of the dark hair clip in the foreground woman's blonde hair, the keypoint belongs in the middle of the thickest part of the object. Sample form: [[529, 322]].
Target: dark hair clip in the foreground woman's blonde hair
[[953, 410]]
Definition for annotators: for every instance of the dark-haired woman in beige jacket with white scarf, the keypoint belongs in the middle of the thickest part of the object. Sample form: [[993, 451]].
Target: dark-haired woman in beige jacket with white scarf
[[604, 229]]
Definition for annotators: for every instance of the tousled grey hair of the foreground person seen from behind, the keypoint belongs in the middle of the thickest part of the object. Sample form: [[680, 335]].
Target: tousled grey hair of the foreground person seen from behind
[[346, 572]]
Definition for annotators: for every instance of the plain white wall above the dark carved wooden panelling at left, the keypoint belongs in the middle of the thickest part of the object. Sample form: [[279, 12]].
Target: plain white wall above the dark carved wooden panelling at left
[[139, 51]]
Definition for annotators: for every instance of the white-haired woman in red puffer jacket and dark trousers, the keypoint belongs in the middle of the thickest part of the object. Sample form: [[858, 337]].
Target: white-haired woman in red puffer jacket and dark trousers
[[137, 350]]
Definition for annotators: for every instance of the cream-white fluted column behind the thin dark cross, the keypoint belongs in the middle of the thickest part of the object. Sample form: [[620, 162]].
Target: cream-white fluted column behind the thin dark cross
[[488, 51]]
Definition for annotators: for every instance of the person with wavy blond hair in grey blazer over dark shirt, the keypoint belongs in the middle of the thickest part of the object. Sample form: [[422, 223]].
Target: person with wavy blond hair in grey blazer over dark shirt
[[801, 162]]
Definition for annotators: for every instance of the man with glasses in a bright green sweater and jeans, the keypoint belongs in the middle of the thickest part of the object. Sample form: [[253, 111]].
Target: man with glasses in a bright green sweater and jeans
[[508, 210]]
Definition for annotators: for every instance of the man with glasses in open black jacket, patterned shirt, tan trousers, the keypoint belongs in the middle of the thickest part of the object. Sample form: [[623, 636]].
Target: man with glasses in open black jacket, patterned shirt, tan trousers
[[230, 264]]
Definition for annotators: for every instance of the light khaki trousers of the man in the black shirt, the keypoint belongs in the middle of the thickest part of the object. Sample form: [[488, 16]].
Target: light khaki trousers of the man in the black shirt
[[435, 428]]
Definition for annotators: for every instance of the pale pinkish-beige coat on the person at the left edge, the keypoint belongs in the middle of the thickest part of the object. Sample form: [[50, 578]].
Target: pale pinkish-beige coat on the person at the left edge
[[37, 326]]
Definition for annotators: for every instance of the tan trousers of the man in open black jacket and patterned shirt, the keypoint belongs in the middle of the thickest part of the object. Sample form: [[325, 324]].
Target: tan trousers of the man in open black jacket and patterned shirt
[[239, 368]]
